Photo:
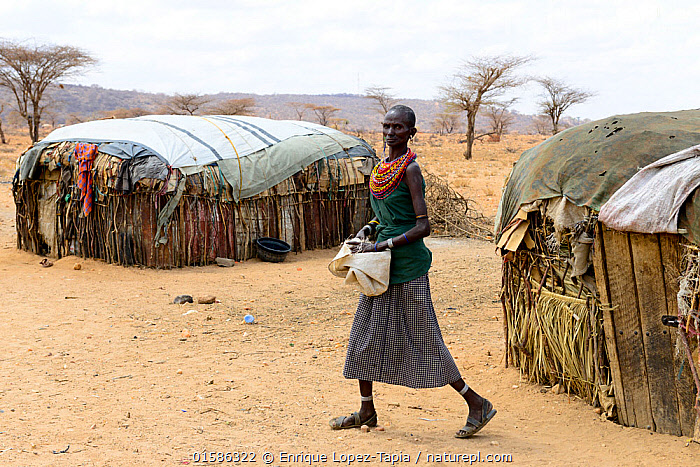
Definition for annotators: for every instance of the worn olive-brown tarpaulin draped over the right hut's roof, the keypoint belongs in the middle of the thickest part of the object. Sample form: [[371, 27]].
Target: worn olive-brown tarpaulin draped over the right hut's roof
[[586, 164]]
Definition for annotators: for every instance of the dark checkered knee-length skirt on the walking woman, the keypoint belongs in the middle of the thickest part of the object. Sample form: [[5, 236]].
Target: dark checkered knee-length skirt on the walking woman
[[396, 339]]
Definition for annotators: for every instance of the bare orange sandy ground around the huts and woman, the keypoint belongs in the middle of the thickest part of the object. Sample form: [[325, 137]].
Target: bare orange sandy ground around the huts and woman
[[100, 368]]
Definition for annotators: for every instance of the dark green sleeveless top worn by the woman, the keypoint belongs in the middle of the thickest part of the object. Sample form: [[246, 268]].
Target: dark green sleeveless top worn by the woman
[[396, 216]]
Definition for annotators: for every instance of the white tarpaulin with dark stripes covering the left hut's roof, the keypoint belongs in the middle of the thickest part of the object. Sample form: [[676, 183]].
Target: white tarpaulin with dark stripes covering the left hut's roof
[[253, 153]]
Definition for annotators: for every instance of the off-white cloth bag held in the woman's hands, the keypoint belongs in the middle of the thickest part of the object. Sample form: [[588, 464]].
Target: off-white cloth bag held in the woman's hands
[[368, 272]]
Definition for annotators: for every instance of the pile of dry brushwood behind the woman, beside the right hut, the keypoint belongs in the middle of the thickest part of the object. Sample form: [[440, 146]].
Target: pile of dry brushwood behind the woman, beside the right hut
[[452, 214]]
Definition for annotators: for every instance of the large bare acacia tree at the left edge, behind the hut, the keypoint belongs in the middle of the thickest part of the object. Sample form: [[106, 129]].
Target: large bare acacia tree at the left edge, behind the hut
[[27, 71]]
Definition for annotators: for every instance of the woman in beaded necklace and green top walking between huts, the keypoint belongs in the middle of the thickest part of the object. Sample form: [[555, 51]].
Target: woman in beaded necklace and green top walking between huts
[[395, 337]]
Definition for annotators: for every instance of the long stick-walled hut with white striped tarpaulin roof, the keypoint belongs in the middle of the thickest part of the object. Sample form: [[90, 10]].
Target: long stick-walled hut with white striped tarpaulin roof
[[172, 191]]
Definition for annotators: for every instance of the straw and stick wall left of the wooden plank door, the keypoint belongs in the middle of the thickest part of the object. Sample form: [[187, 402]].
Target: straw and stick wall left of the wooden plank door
[[554, 326]]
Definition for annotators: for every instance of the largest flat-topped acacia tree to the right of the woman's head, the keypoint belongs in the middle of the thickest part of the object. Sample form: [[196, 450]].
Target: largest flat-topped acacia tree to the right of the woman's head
[[480, 81]]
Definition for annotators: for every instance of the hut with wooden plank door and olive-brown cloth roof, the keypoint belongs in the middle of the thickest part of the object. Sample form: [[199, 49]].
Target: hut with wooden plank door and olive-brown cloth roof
[[584, 300]]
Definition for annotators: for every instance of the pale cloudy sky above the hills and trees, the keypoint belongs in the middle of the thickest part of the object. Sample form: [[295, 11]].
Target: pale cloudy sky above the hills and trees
[[641, 55]]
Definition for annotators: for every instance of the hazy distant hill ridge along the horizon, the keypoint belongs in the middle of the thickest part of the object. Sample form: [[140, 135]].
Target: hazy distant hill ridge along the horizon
[[75, 103]]
